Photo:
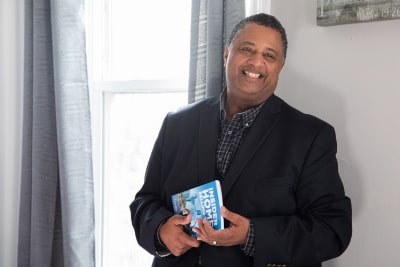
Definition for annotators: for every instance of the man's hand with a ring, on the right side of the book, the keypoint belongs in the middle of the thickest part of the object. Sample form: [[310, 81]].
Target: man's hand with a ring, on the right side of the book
[[235, 234]]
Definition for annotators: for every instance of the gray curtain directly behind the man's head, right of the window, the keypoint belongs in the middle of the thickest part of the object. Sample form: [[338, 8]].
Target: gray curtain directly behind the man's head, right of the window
[[212, 22]]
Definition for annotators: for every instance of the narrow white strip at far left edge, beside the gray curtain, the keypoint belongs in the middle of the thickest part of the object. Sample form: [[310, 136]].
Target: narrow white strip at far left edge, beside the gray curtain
[[10, 126]]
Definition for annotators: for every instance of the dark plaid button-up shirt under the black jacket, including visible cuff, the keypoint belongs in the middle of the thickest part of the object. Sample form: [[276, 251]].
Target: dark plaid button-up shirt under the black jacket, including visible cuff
[[231, 135]]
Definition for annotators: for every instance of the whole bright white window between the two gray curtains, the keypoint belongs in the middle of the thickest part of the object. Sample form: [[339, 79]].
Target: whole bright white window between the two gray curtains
[[138, 66]]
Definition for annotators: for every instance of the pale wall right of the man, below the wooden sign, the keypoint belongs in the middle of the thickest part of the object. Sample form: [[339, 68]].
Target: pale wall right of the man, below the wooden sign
[[349, 76]]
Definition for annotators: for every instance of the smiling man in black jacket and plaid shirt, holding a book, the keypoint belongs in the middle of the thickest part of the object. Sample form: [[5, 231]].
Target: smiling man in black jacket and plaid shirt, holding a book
[[284, 201]]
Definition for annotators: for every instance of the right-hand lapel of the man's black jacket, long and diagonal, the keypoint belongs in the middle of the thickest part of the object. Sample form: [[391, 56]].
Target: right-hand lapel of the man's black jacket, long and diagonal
[[258, 133]]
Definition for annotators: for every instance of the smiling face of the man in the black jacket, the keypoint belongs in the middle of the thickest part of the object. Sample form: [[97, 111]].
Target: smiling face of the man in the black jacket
[[253, 62]]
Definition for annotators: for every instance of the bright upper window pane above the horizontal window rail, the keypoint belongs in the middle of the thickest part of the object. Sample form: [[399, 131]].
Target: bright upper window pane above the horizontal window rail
[[150, 40]]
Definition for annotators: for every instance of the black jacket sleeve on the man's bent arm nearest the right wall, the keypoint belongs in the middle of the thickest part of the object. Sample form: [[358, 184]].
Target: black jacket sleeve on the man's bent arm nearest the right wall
[[321, 227]]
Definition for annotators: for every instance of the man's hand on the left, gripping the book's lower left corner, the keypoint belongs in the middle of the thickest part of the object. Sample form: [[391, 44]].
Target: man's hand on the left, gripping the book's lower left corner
[[174, 238]]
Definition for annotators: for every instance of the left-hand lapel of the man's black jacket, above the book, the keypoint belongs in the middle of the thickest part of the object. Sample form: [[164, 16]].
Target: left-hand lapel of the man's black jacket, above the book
[[208, 137]]
